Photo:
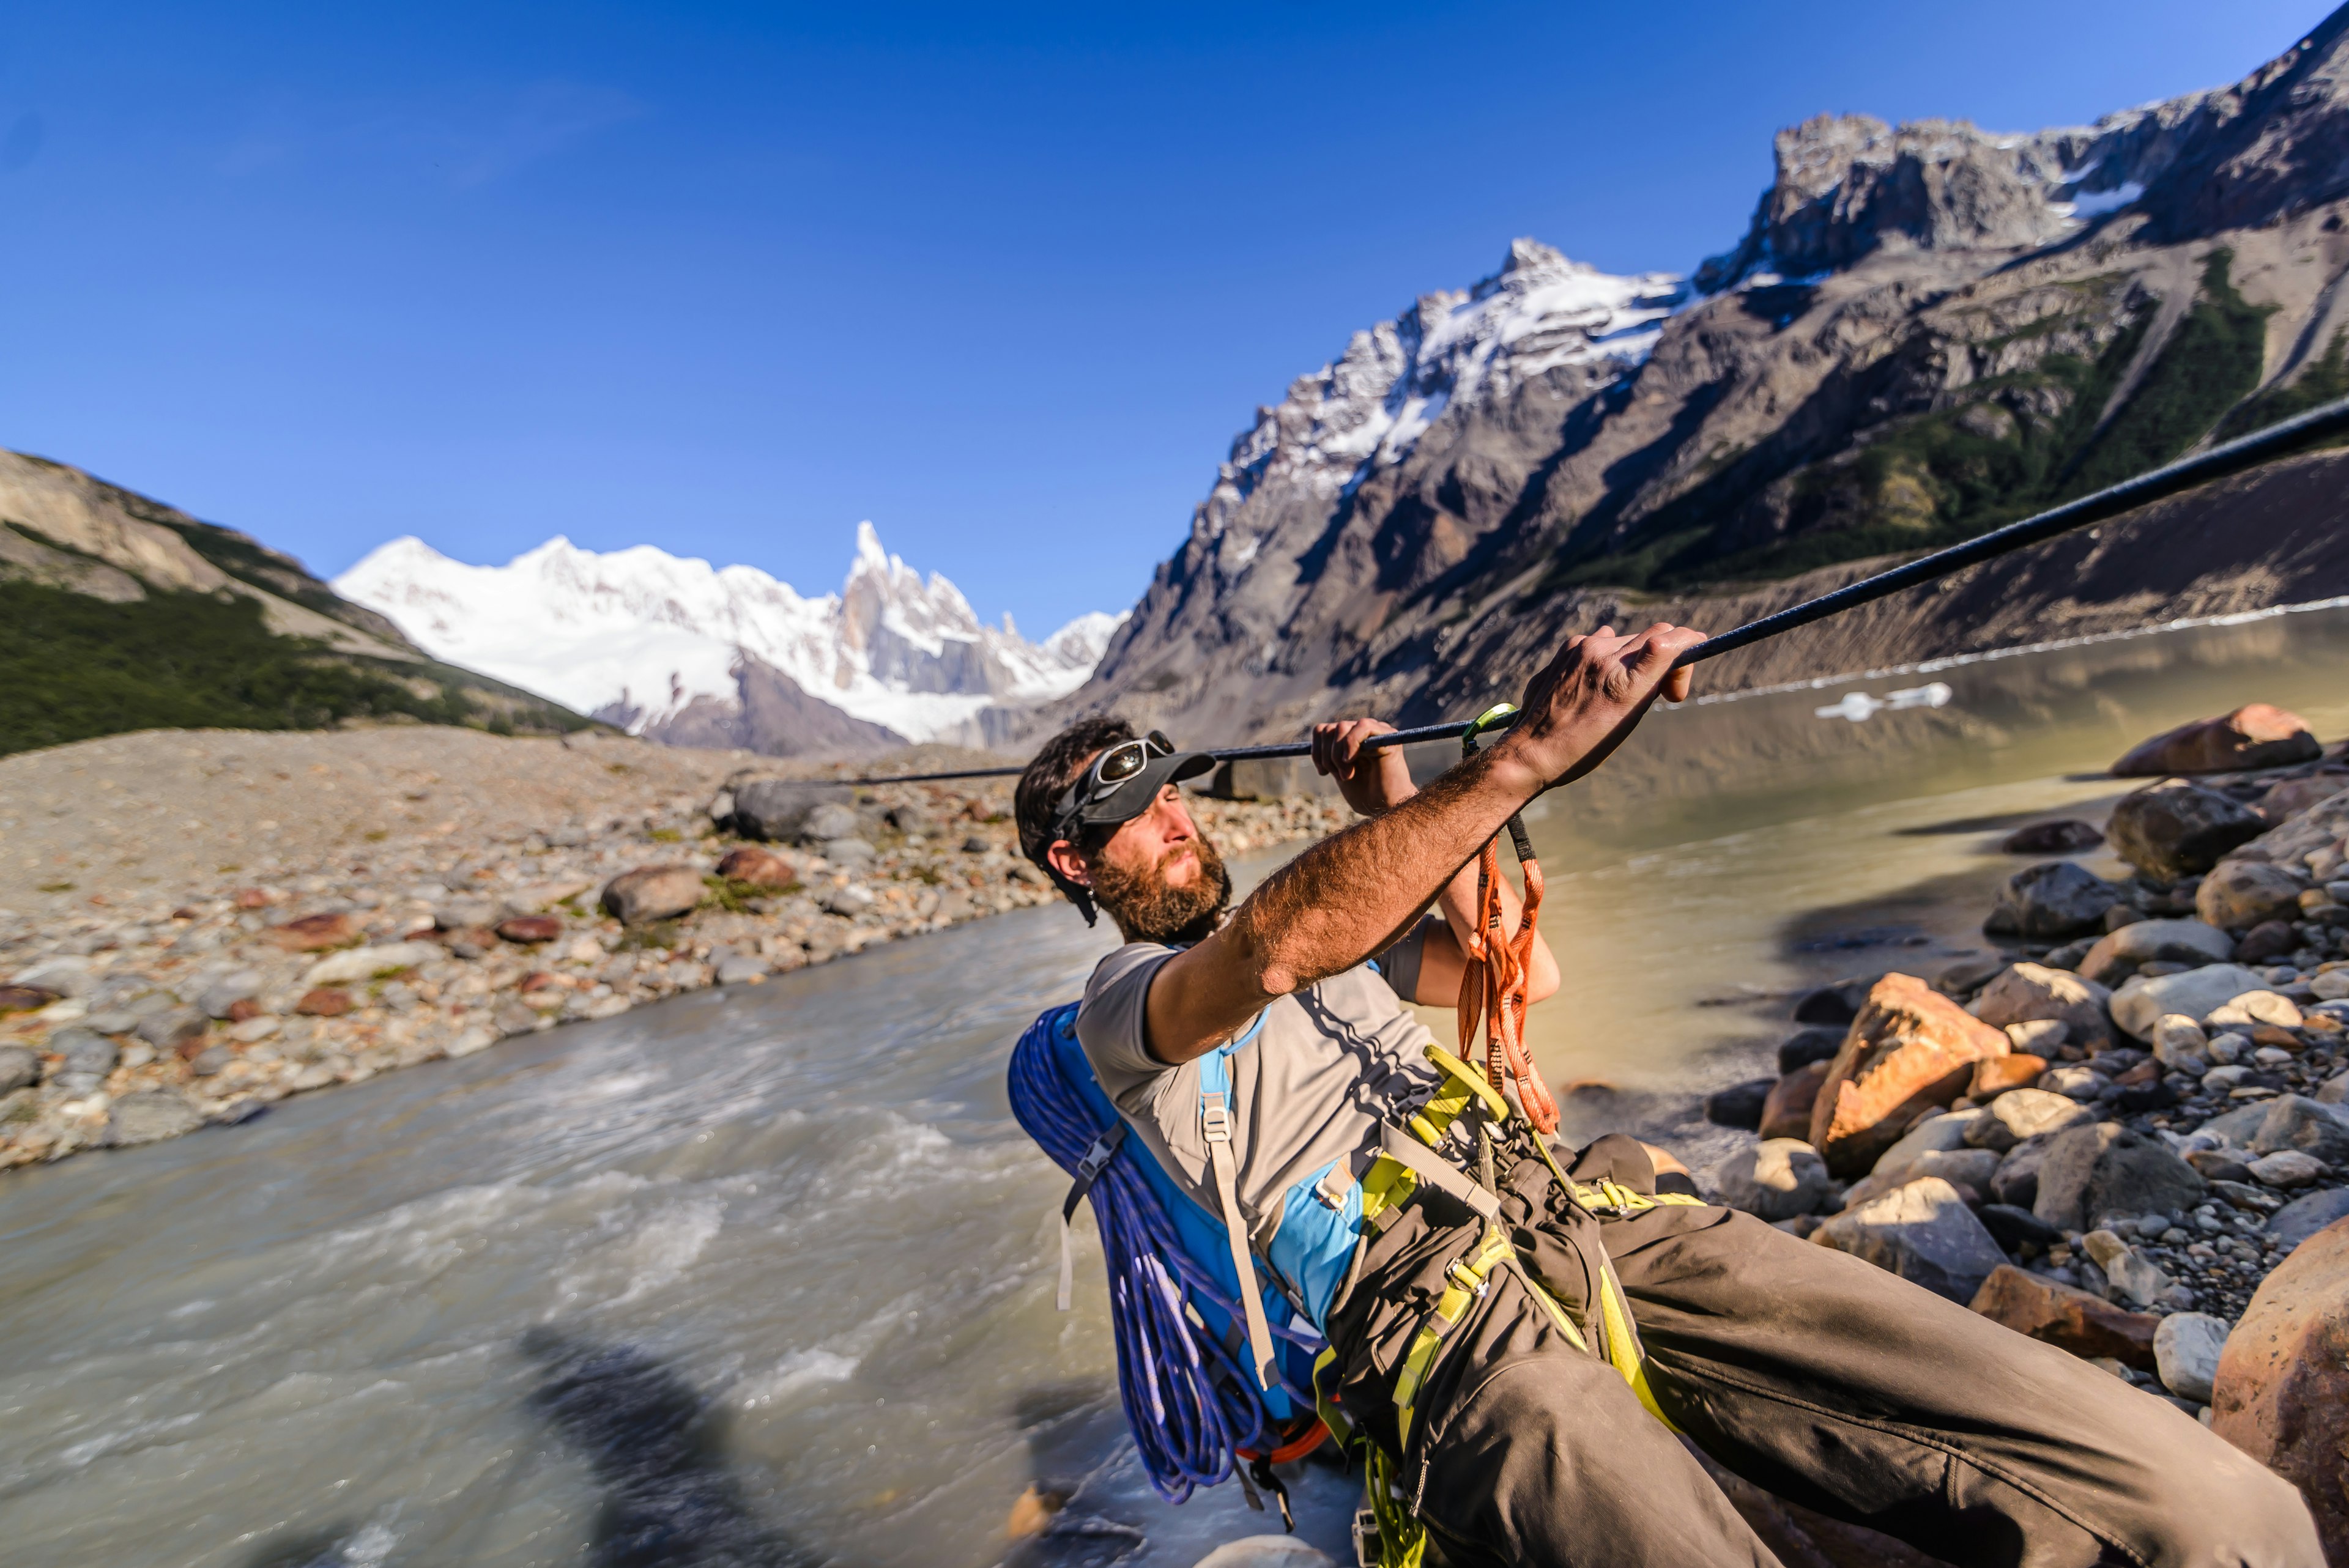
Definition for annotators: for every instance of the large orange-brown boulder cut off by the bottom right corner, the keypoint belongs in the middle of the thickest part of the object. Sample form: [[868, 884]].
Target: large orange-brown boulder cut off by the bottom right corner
[[2282, 1388]]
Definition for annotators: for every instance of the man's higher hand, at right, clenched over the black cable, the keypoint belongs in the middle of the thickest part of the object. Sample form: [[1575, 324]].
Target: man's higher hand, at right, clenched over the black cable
[[1589, 701]]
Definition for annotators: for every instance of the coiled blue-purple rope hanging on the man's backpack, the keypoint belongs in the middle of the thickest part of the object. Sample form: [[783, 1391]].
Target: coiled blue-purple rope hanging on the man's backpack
[[1187, 1400]]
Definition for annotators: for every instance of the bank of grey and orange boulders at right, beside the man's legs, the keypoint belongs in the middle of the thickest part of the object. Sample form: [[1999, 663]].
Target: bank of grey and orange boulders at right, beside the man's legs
[[2120, 1130]]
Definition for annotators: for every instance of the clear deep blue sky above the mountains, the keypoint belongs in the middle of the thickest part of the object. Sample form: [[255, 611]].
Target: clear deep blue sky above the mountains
[[1002, 281]]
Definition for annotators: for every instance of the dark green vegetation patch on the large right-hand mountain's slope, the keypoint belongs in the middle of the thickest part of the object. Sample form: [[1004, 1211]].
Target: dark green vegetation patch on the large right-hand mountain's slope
[[2019, 445]]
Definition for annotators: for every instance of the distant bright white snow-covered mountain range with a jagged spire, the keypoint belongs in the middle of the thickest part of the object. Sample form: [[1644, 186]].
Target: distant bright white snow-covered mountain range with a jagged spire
[[699, 656]]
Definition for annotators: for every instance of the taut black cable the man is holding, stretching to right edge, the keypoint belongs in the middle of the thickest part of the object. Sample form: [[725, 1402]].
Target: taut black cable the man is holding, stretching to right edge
[[2202, 468]]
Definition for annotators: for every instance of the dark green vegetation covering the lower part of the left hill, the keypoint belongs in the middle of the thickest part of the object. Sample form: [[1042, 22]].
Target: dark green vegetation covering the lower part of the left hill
[[74, 668]]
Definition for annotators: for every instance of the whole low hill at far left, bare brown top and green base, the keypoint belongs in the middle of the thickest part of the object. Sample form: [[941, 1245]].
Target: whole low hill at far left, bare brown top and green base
[[123, 614]]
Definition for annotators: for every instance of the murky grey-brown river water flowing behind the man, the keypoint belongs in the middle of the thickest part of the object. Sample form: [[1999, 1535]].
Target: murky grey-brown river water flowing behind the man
[[767, 1276]]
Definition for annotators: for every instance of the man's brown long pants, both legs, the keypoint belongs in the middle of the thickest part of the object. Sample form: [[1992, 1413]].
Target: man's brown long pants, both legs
[[1808, 1372]]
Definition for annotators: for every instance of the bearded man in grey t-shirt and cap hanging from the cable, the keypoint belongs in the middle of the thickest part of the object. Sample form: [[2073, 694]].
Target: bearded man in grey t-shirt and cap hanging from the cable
[[1803, 1370]]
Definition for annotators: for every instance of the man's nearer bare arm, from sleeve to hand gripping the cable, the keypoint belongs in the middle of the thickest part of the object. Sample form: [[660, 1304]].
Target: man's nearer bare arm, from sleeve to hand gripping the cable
[[1354, 893]]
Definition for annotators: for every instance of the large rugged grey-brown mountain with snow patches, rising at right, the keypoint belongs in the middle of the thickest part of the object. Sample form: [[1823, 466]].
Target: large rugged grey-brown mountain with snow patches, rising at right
[[1925, 332]]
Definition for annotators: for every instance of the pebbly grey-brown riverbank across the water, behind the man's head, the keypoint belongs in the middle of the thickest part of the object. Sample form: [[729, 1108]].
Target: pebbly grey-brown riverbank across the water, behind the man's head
[[196, 924]]
